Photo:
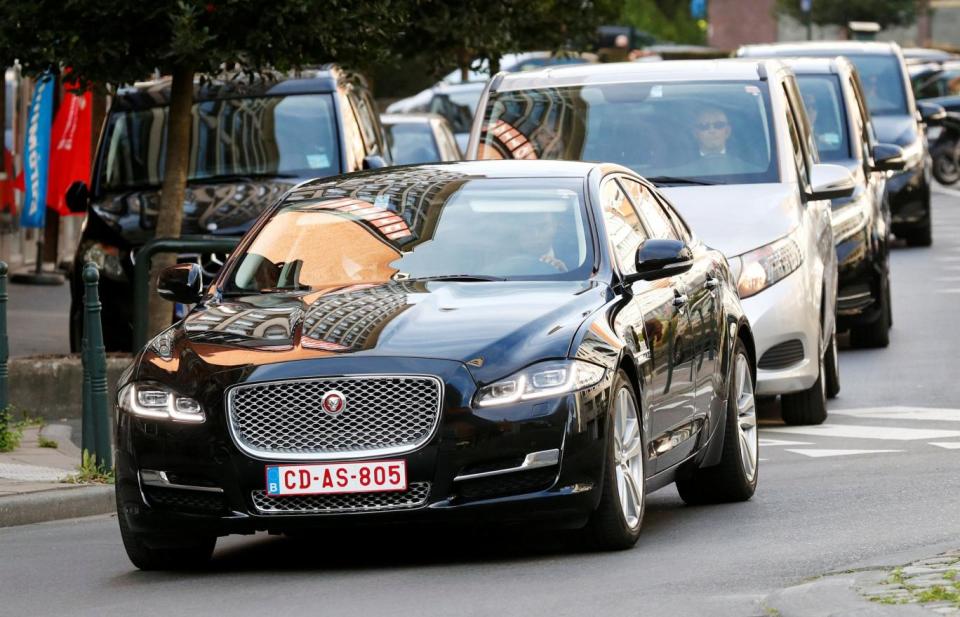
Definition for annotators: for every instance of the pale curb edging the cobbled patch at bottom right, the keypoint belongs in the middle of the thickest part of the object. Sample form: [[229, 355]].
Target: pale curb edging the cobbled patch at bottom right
[[835, 596]]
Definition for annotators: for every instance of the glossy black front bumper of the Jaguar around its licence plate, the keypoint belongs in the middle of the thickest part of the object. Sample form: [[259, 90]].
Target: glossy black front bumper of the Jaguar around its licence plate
[[467, 441]]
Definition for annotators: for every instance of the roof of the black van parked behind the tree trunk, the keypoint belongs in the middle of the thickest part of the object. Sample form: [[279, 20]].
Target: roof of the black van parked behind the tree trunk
[[155, 93]]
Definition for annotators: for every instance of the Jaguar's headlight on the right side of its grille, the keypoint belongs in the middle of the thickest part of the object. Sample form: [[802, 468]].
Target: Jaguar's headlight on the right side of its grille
[[541, 380]]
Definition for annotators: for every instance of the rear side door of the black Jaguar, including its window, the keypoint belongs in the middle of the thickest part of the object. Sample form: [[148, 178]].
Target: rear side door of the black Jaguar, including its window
[[693, 319]]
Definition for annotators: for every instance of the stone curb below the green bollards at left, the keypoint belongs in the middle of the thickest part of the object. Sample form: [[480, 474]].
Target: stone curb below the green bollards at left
[[56, 504]]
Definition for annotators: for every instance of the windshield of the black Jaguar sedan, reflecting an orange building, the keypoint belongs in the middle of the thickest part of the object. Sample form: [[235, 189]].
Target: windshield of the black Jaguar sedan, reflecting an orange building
[[416, 224]]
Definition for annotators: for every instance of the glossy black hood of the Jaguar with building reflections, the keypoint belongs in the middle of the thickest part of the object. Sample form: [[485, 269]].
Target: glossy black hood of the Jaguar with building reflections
[[493, 327]]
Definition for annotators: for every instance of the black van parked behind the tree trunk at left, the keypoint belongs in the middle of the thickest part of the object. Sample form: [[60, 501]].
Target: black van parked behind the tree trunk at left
[[252, 142]]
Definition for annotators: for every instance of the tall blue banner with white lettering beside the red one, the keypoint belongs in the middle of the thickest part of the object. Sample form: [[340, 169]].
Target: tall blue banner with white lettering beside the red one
[[37, 153]]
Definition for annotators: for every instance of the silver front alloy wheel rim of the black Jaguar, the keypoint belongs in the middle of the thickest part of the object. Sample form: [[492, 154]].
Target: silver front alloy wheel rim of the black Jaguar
[[628, 458]]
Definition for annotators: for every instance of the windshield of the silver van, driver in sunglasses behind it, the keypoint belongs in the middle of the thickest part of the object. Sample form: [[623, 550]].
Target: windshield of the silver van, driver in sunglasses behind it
[[712, 132]]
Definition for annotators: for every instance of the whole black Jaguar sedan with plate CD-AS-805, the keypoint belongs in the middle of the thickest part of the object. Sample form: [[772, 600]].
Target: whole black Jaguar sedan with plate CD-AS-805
[[497, 341]]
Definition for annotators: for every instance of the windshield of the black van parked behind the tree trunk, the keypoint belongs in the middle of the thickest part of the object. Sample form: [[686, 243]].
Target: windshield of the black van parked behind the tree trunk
[[259, 136]]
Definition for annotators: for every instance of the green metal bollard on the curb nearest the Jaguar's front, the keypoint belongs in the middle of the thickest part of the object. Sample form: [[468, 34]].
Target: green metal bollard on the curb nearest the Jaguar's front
[[96, 367]]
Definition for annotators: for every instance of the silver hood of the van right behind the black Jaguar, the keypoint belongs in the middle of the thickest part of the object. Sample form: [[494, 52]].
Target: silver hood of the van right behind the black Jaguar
[[736, 218]]
